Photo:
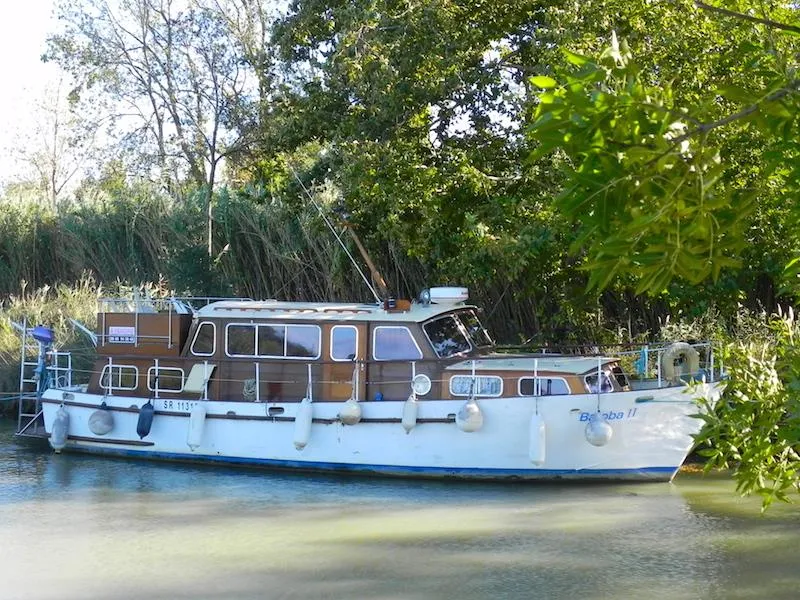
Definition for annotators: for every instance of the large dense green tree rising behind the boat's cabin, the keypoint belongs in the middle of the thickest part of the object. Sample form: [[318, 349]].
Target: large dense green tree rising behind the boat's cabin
[[419, 110]]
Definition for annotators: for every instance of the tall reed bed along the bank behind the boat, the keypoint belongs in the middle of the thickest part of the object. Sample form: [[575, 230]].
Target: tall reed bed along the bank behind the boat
[[263, 247]]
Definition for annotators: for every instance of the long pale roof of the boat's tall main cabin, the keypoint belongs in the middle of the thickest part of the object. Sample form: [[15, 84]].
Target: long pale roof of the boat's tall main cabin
[[321, 311]]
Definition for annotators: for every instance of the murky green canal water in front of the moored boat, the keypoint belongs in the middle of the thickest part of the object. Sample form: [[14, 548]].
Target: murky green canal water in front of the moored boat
[[76, 526]]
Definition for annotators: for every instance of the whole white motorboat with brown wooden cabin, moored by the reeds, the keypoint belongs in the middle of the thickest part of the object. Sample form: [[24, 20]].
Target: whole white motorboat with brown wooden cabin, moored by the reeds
[[394, 388]]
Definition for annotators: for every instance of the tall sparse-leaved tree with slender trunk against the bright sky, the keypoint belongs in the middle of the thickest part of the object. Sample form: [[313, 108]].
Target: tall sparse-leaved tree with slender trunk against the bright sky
[[168, 74]]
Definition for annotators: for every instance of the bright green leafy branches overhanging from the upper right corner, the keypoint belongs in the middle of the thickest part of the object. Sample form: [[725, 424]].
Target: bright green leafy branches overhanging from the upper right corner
[[662, 180]]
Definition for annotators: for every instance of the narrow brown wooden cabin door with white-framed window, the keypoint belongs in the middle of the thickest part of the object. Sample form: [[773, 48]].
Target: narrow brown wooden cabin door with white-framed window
[[347, 354]]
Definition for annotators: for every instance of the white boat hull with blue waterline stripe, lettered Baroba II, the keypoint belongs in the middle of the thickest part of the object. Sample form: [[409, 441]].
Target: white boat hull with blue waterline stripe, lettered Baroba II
[[651, 435]]
